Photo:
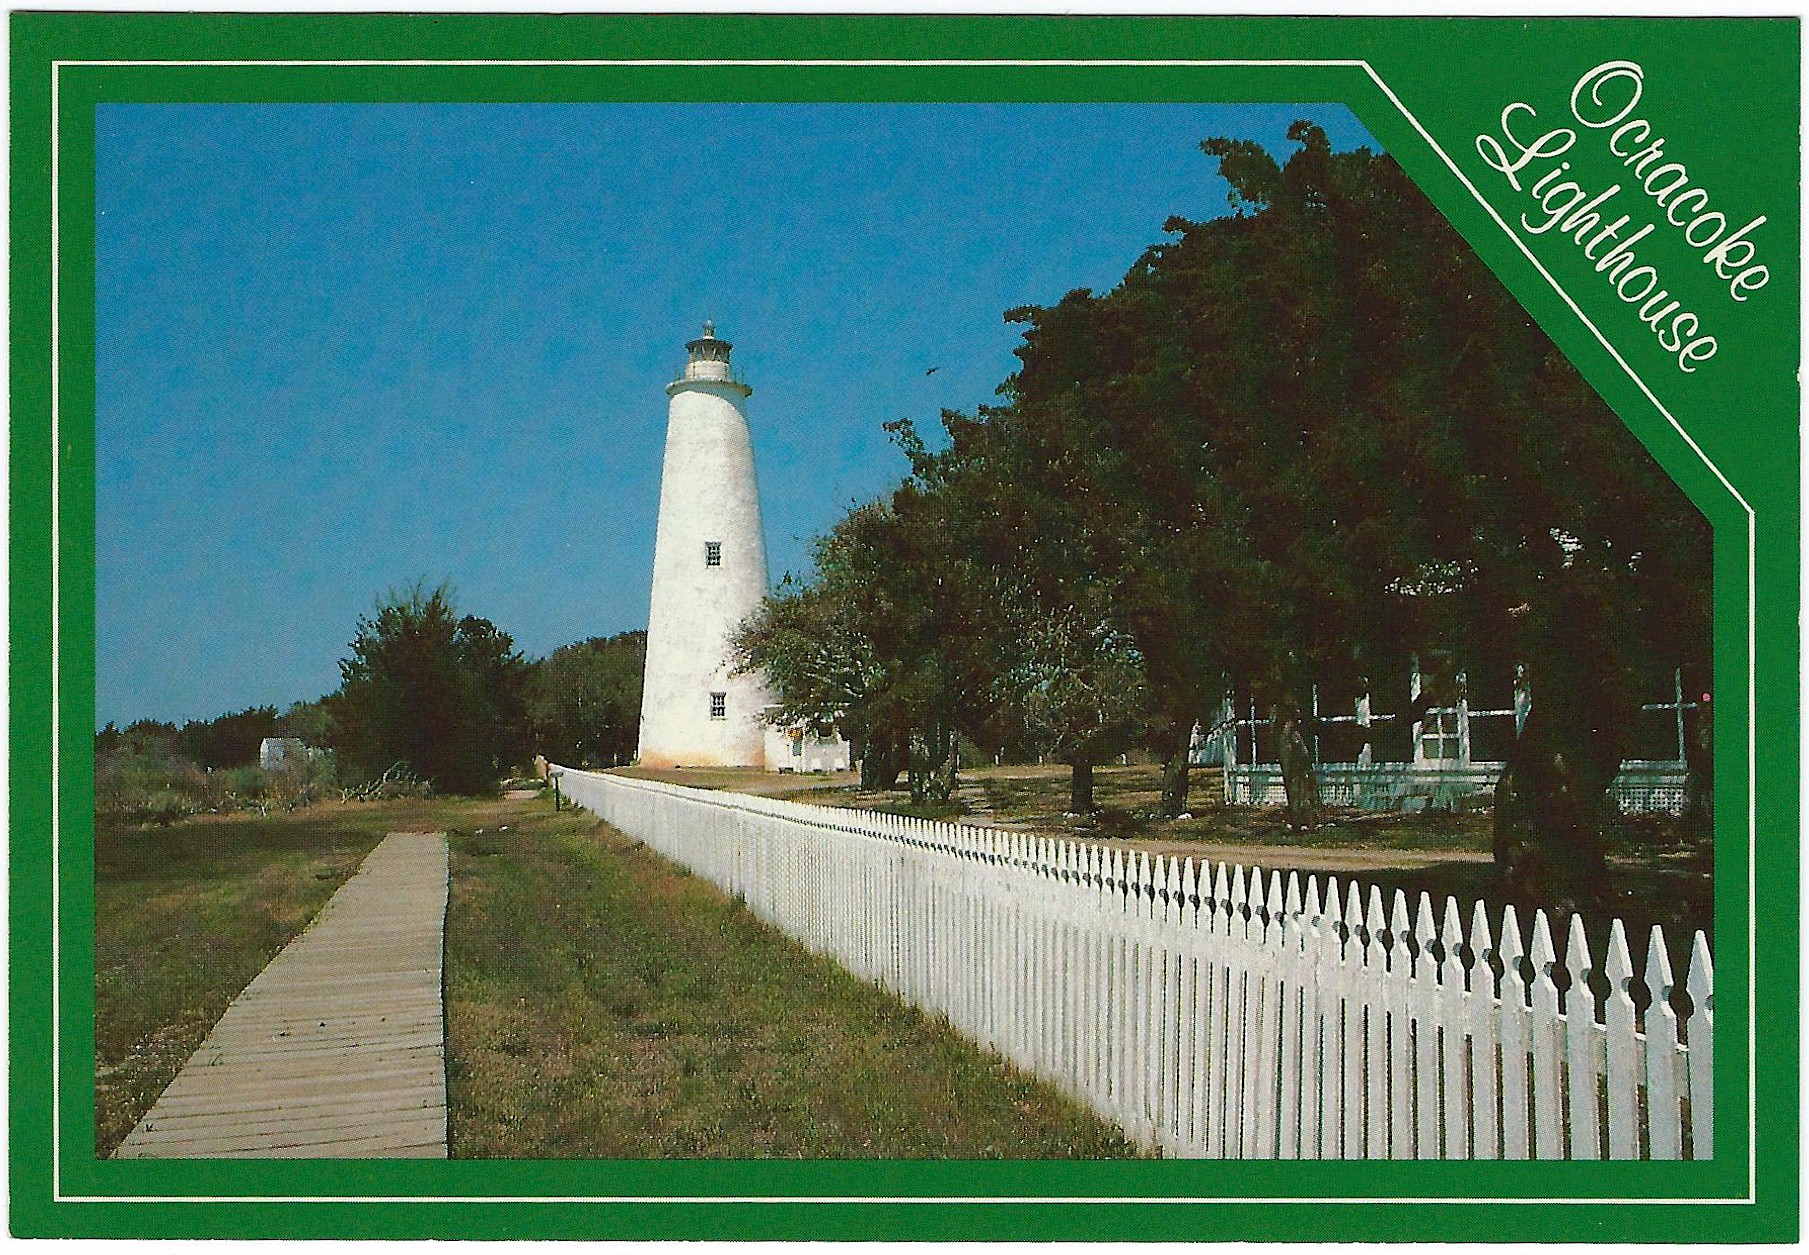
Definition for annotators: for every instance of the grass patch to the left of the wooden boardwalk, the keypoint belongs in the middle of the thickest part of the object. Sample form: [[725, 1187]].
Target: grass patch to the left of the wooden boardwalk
[[187, 916]]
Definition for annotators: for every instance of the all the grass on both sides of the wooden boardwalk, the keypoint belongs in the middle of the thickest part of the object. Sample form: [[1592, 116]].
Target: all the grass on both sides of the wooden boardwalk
[[600, 1001]]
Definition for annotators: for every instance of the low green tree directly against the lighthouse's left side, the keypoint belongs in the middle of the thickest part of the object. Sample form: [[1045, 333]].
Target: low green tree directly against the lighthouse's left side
[[585, 701]]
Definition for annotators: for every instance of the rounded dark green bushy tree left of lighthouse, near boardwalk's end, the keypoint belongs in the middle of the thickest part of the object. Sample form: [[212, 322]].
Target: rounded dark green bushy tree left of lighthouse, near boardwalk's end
[[433, 692]]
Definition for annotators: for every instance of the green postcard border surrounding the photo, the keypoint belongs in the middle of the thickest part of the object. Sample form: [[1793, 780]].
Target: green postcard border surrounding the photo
[[1425, 88]]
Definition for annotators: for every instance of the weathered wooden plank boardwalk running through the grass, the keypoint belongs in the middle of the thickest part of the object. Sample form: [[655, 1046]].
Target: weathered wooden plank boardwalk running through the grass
[[337, 1050]]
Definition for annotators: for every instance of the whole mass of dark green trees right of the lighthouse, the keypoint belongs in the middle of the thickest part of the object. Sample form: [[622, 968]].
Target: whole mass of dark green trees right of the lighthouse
[[1294, 446]]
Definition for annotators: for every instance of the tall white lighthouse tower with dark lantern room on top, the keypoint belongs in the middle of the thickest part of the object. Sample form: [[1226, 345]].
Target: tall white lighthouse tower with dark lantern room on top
[[710, 572]]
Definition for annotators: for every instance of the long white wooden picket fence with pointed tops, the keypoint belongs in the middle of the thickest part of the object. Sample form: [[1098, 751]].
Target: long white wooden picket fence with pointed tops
[[1213, 1014]]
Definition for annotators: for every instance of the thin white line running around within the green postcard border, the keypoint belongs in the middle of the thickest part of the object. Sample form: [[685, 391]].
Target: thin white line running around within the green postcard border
[[1752, 623]]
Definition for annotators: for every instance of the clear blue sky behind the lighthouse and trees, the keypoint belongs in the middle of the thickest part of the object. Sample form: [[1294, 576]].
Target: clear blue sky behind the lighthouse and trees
[[343, 348]]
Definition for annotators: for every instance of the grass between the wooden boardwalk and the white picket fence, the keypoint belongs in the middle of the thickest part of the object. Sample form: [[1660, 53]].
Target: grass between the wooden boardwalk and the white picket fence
[[605, 1003]]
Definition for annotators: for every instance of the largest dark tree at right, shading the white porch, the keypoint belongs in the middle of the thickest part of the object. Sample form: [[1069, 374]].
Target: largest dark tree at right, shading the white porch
[[1329, 439]]
